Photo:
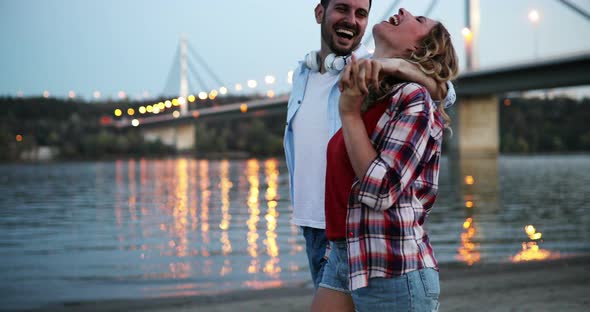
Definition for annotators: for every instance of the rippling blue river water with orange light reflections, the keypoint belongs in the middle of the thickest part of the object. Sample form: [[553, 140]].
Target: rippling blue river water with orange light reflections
[[143, 228]]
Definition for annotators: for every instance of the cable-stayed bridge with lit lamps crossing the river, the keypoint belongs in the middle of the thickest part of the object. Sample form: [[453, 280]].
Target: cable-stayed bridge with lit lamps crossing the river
[[475, 119]]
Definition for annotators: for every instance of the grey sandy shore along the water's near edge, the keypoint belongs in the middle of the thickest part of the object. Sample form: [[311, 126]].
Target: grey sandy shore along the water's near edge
[[556, 285]]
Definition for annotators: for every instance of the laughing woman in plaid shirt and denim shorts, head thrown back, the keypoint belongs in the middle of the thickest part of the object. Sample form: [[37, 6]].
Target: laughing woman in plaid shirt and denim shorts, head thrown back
[[389, 151]]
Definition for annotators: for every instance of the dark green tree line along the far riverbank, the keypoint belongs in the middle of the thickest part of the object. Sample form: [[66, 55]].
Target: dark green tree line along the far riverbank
[[74, 129]]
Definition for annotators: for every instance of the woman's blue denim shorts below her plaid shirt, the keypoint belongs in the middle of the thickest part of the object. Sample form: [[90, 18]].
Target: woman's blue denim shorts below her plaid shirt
[[414, 291]]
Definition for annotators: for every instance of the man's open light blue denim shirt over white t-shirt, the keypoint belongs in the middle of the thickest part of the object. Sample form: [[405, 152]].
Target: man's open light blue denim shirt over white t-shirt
[[300, 78]]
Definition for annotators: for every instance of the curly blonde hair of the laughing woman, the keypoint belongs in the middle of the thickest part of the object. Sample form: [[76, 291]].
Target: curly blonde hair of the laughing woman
[[436, 57]]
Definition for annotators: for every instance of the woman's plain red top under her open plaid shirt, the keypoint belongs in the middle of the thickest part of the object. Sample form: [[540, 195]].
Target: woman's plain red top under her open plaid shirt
[[340, 175]]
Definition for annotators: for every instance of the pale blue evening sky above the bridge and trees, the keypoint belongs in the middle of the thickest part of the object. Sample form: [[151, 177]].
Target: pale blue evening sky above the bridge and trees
[[129, 45]]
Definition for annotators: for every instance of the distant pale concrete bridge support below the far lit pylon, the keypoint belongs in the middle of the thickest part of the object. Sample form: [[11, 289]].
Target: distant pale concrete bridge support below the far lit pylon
[[181, 137]]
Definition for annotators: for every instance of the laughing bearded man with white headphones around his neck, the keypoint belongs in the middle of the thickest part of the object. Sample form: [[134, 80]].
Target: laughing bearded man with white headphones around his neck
[[312, 116]]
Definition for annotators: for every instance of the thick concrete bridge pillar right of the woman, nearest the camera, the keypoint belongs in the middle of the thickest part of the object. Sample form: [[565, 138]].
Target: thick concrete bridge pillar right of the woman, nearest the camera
[[478, 126]]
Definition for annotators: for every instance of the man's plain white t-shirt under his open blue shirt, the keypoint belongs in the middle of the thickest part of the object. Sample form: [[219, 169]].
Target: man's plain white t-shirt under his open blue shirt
[[311, 134]]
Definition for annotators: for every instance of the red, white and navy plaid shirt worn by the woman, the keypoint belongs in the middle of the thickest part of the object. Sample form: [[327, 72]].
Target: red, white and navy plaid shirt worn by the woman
[[388, 207]]
